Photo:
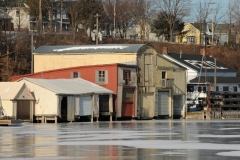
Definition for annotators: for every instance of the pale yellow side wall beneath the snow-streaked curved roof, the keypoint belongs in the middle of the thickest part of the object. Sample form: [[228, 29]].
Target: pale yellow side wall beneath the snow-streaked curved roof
[[44, 62]]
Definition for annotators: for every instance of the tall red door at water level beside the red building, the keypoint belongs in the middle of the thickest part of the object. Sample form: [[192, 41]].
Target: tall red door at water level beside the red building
[[127, 102]]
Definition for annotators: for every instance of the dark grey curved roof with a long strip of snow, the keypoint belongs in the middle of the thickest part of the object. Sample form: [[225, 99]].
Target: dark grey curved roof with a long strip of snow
[[78, 49]]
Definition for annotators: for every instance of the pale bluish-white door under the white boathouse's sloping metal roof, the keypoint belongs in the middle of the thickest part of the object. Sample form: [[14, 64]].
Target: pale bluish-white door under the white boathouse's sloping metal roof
[[85, 106]]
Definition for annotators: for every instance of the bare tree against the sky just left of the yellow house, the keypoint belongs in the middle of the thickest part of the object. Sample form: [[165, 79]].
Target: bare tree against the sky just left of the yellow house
[[176, 10]]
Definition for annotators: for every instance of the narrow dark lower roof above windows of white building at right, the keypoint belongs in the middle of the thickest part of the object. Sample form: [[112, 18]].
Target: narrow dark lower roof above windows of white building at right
[[219, 80]]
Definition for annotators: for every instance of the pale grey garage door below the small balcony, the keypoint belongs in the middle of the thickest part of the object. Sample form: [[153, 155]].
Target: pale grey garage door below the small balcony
[[163, 103]]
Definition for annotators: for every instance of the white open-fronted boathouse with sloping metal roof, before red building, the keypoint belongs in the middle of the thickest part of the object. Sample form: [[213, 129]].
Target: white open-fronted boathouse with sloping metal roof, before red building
[[66, 99]]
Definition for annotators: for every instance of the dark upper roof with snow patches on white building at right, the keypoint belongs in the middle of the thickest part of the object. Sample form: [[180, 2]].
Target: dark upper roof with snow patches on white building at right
[[194, 61]]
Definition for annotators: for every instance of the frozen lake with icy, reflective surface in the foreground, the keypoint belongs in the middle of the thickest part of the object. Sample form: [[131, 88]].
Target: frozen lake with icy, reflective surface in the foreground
[[125, 140]]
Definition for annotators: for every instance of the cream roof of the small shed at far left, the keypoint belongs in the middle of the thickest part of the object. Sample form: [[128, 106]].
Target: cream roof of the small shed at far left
[[9, 90]]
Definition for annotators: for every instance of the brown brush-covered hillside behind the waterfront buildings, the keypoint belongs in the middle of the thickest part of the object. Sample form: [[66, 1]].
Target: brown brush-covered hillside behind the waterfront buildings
[[15, 56]]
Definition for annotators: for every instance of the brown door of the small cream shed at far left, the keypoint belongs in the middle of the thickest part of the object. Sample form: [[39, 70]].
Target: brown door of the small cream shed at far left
[[23, 110]]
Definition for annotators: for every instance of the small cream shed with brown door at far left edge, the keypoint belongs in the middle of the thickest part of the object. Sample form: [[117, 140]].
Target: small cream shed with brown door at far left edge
[[17, 101]]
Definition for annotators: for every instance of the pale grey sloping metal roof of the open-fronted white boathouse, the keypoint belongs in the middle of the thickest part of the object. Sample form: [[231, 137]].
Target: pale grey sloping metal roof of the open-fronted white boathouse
[[76, 86]]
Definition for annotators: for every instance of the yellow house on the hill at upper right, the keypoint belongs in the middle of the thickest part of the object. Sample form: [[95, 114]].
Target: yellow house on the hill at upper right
[[191, 33]]
